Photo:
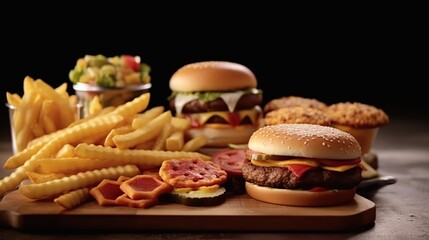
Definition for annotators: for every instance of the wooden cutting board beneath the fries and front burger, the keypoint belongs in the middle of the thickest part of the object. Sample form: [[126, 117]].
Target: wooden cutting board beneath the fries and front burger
[[238, 213]]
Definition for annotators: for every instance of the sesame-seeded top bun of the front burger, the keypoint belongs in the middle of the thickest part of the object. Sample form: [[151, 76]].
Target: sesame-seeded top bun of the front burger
[[305, 140]]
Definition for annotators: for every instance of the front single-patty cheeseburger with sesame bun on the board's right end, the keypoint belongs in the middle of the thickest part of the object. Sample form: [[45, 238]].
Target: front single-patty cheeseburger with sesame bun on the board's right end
[[302, 165]]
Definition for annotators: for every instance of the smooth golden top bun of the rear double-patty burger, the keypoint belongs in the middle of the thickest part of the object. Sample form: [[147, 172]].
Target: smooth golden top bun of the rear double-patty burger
[[212, 76]]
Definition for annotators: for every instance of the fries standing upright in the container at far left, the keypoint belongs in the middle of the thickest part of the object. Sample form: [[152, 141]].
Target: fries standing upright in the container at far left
[[41, 110]]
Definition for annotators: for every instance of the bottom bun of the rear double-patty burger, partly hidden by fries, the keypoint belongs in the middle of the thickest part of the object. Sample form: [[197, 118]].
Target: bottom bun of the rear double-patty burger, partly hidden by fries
[[222, 136]]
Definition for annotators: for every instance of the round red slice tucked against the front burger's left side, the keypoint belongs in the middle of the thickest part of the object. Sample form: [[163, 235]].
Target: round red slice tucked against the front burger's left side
[[231, 160]]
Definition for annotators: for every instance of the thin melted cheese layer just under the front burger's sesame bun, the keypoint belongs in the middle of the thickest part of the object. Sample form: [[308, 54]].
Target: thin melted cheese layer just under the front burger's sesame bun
[[308, 162]]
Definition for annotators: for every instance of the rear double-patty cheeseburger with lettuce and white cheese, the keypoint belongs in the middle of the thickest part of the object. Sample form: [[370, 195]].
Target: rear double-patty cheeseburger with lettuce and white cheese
[[221, 100]]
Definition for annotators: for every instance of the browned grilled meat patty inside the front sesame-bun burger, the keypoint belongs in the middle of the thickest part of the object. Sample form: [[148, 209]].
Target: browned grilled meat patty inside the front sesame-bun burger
[[284, 177]]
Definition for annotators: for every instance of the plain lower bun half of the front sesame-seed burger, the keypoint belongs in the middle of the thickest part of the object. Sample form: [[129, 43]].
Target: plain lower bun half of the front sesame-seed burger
[[299, 198]]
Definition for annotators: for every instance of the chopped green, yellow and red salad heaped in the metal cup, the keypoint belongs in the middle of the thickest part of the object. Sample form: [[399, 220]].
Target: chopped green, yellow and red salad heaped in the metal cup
[[117, 71]]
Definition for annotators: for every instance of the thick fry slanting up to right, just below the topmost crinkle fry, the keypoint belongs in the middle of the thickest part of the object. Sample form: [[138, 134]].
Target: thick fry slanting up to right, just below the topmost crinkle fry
[[146, 133]]
